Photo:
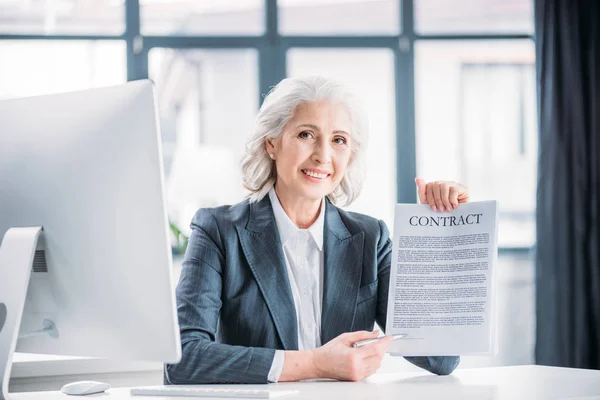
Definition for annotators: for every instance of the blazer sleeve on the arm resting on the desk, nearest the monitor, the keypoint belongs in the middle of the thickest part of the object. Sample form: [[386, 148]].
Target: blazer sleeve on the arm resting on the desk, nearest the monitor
[[198, 298]]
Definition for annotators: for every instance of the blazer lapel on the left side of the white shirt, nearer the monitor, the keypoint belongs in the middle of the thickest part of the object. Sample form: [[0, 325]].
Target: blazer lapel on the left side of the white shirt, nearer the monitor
[[262, 247]]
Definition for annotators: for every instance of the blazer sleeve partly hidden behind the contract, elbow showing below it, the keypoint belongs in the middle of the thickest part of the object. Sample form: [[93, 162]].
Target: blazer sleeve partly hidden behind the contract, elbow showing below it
[[440, 365]]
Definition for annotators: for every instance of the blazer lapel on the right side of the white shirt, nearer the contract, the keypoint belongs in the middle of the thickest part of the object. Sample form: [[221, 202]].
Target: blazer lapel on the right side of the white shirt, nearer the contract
[[343, 266]]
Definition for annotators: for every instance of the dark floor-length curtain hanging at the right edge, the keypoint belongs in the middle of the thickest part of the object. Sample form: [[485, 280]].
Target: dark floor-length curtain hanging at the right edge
[[568, 196]]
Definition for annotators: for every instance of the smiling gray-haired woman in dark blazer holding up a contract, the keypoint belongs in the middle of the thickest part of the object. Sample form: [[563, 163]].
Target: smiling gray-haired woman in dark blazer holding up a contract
[[279, 286]]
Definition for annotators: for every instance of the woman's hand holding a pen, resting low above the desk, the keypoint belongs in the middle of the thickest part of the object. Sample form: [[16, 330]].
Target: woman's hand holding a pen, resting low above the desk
[[337, 359]]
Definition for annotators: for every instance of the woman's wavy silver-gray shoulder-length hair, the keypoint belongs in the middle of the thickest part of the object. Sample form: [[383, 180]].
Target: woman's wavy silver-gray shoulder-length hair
[[258, 170]]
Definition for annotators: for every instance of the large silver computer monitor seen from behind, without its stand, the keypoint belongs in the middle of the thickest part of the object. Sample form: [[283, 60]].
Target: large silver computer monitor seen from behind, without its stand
[[87, 167]]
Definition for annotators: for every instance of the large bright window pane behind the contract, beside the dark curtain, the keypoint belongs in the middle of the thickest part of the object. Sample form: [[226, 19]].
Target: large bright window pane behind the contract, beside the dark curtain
[[476, 123]]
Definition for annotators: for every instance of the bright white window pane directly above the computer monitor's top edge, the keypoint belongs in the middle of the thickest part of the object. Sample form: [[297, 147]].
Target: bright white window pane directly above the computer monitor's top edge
[[30, 68]]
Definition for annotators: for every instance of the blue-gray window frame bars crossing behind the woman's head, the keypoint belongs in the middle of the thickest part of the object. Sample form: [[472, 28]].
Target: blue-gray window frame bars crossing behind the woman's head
[[272, 48]]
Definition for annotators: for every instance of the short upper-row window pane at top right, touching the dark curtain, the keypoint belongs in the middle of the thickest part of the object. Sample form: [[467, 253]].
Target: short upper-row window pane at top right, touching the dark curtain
[[469, 16]]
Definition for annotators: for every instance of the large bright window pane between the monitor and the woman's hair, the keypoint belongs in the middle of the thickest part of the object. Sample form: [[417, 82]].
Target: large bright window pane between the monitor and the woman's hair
[[208, 100]]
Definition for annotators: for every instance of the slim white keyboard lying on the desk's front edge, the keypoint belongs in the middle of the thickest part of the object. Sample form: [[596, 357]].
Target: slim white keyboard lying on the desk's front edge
[[194, 391]]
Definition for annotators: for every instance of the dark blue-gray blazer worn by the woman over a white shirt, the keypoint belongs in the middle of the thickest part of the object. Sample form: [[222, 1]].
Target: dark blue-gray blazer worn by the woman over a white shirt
[[234, 300]]
